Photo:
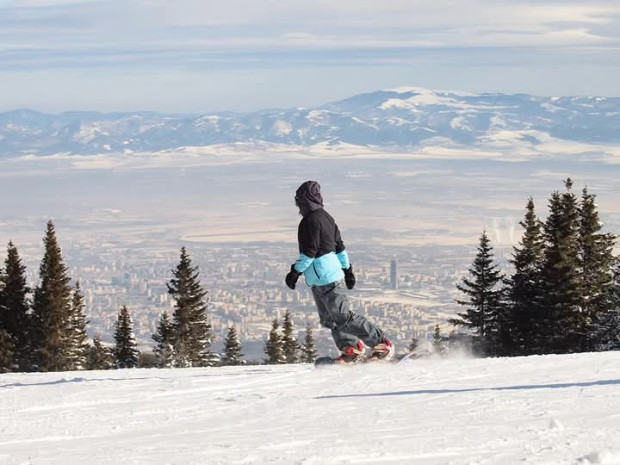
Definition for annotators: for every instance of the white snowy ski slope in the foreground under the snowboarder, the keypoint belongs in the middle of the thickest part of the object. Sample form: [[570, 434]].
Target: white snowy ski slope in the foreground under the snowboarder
[[537, 410]]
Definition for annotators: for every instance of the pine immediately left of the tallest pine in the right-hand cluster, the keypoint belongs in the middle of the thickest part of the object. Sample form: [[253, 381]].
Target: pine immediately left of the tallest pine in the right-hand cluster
[[523, 289]]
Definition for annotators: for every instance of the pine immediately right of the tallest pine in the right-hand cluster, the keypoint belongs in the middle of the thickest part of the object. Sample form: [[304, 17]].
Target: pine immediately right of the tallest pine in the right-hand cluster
[[597, 260]]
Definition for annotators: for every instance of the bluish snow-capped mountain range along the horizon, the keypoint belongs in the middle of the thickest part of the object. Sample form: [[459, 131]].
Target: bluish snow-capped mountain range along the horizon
[[402, 117]]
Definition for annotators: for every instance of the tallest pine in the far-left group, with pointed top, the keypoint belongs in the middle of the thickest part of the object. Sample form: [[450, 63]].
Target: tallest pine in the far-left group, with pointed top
[[51, 308]]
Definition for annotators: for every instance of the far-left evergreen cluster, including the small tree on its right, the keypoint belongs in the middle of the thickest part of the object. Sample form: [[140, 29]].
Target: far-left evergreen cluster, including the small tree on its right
[[45, 328]]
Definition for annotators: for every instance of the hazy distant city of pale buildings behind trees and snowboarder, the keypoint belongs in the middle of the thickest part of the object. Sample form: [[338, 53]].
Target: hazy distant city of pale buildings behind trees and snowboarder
[[407, 295]]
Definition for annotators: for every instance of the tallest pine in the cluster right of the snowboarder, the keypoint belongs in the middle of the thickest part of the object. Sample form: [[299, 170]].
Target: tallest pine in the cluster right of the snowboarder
[[563, 321]]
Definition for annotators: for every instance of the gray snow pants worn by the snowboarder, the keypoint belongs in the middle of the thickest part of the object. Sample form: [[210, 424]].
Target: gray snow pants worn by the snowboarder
[[334, 313]]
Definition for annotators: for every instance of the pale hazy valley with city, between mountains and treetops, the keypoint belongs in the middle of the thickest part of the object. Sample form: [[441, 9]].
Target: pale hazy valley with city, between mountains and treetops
[[123, 216]]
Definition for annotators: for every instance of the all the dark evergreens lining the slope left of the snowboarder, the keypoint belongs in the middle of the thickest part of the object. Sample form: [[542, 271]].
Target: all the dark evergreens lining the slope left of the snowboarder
[[45, 328]]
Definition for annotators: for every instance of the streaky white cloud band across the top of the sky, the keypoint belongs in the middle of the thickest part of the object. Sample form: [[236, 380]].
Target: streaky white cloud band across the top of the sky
[[197, 26]]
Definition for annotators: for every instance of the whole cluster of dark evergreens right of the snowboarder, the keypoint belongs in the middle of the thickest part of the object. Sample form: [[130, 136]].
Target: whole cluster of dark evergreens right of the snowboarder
[[563, 294]]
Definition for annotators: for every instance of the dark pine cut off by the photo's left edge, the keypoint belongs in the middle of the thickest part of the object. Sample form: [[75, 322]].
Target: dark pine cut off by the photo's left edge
[[14, 307]]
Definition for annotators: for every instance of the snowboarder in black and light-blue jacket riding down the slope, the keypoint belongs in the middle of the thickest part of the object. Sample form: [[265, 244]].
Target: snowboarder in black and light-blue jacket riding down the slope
[[325, 264]]
